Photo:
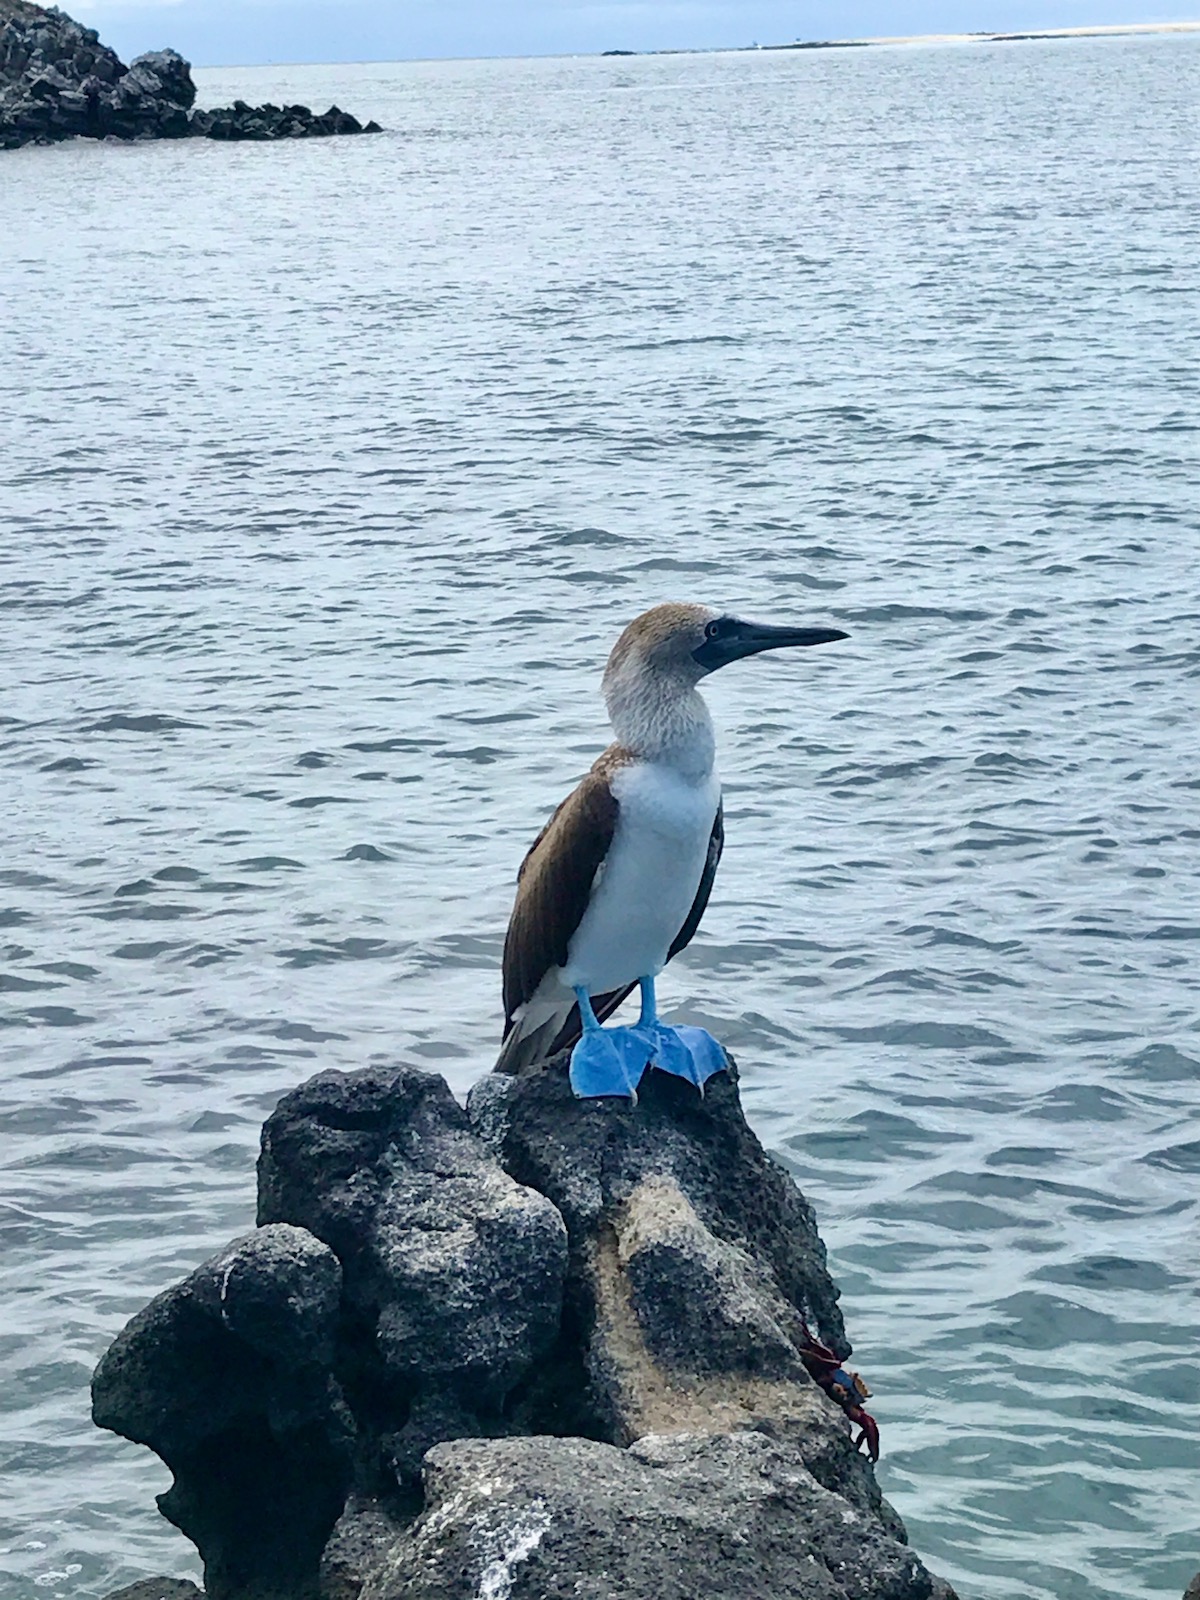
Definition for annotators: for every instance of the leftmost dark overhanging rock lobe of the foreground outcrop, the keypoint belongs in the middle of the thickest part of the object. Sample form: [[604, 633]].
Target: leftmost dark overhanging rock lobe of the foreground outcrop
[[228, 1378]]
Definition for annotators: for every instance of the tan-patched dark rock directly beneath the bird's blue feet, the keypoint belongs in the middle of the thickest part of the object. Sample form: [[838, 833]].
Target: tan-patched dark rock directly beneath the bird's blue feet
[[695, 1268]]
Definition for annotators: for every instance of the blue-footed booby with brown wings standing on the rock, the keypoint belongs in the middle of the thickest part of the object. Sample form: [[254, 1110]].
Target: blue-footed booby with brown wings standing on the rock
[[617, 882]]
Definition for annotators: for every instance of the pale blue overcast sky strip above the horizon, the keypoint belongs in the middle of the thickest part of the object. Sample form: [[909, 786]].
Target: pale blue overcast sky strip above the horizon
[[225, 33]]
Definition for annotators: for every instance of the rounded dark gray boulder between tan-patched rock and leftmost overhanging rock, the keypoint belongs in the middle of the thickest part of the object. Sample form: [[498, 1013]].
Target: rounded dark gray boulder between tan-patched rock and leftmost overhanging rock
[[454, 1273]]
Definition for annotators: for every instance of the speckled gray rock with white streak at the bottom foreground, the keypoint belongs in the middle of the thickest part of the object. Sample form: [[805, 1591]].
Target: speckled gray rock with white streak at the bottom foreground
[[674, 1518]]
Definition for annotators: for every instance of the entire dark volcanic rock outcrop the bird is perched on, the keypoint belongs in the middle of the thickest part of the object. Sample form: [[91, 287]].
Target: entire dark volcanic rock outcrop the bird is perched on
[[534, 1350]]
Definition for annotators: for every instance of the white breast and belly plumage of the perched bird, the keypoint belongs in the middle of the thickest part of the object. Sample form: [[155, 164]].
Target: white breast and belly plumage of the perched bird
[[649, 881]]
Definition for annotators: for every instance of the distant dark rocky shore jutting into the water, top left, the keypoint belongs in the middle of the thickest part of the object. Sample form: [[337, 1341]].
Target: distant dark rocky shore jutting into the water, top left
[[60, 82]]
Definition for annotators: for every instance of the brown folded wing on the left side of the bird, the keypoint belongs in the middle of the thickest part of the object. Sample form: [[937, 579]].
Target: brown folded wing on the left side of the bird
[[554, 886]]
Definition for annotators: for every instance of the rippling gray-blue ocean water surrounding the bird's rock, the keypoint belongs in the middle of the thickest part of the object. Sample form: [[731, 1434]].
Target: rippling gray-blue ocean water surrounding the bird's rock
[[330, 471]]
